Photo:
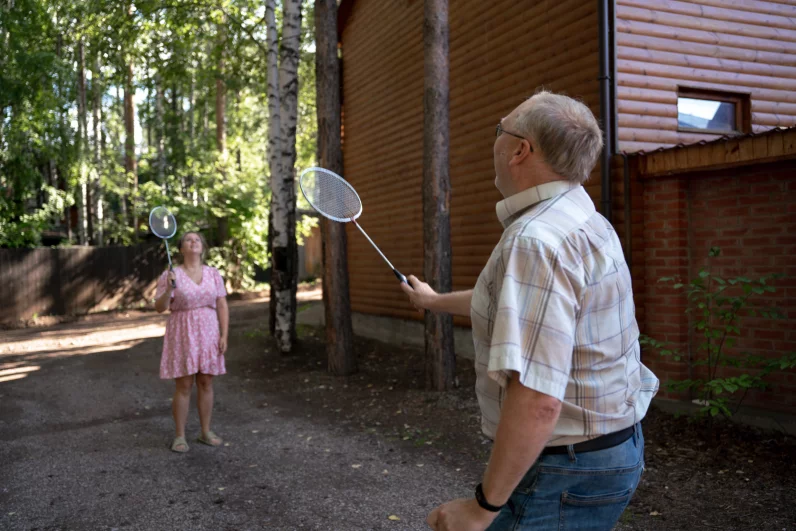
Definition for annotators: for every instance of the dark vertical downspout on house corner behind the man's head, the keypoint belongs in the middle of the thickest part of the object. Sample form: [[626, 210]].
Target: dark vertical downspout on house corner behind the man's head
[[606, 109]]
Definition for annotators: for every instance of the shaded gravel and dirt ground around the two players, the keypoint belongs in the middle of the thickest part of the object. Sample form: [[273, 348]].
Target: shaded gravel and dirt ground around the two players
[[85, 423]]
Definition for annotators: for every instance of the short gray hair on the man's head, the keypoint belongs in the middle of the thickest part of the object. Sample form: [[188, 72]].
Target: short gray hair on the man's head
[[565, 131]]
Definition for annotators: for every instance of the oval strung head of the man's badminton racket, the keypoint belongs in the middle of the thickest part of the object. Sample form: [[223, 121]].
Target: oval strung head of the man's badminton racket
[[330, 195]]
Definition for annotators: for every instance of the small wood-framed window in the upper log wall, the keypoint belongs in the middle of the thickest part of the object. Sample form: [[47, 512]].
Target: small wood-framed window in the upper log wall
[[704, 111]]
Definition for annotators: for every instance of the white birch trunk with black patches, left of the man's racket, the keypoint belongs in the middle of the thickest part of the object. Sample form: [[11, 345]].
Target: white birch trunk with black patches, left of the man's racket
[[285, 250]]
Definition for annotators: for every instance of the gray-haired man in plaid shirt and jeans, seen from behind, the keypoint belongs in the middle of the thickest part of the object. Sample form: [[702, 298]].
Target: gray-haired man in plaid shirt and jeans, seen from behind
[[559, 381]]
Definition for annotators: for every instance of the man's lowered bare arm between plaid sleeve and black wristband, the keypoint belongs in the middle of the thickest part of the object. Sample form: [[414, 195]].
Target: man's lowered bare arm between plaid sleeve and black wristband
[[527, 419]]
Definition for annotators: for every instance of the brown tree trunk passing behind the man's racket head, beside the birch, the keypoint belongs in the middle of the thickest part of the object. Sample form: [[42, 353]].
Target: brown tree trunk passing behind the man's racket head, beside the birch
[[336, 301]]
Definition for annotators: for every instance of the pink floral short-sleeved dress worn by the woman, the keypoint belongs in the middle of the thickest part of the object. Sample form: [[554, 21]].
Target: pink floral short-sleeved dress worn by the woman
[[192, 332]]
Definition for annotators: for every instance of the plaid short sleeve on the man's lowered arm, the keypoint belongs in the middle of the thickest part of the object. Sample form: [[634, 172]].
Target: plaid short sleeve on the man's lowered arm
[[536, 318]]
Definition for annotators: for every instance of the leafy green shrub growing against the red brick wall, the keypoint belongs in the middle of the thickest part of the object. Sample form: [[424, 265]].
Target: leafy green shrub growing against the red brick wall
[[717, 306]]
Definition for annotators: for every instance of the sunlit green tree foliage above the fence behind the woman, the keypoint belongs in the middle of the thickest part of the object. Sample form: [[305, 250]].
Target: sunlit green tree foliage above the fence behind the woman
[[175, 50]]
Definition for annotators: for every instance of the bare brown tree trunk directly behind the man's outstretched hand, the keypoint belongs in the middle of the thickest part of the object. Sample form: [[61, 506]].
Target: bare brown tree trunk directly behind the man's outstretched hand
[[440, 358]]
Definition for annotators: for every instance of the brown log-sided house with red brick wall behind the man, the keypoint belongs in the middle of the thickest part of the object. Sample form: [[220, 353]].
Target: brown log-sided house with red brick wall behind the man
[[663, 75]]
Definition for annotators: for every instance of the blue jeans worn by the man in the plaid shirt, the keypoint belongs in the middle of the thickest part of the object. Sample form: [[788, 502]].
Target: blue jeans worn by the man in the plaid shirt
[[584, 491]]
